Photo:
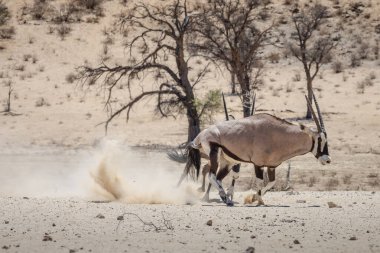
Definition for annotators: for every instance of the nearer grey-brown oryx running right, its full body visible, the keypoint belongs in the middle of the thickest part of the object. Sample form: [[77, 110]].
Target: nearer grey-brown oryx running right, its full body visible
[[263, 140]]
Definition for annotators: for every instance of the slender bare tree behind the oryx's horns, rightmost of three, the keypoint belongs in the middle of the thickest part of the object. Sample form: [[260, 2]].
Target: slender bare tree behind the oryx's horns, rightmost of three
[[311, 48]]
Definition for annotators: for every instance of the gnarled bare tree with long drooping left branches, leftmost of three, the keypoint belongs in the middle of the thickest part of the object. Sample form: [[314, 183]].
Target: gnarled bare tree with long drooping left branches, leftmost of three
[[156, 48]]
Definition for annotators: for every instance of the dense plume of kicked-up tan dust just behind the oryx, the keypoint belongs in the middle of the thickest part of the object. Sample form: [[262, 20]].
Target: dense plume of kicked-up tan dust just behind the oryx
[[122, 174]]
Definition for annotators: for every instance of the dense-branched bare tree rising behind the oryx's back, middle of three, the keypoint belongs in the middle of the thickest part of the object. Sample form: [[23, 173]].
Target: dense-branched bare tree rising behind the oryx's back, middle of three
[[227, 32]]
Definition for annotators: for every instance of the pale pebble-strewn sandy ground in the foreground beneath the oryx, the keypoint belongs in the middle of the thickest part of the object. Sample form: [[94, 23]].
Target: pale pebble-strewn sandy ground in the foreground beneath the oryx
[[76, 225]]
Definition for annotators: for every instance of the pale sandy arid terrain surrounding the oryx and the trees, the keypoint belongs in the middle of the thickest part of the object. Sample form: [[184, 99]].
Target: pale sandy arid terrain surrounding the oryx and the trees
[[53, 148]]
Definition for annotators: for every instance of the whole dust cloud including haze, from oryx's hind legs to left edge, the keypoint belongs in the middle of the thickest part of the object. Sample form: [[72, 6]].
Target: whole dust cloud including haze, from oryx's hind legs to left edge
[[111, 172]]
